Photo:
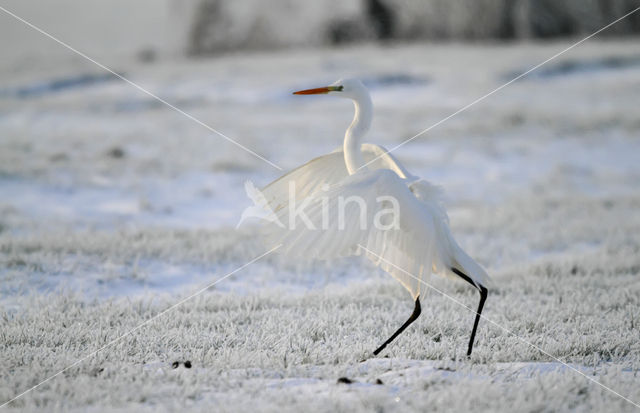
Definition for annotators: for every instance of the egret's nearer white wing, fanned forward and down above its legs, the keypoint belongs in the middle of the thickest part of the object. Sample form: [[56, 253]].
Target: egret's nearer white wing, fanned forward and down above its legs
[[375, 209]]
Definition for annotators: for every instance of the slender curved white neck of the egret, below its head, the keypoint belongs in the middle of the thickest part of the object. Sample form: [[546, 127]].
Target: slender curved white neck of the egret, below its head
[[358, 128]]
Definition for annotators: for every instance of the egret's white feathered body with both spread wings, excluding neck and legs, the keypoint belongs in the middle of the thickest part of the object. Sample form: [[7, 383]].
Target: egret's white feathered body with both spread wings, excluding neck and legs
[[422, 242]]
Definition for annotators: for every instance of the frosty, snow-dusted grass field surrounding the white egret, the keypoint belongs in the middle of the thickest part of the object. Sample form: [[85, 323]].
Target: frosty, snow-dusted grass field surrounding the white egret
[[113, 207]]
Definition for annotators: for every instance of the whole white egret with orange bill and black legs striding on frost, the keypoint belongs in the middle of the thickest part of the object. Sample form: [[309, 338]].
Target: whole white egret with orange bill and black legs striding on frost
[[420, 243]]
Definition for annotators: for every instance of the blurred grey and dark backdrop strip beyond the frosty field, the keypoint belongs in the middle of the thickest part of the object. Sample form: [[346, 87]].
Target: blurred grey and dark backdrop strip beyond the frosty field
[[151, 28]]
